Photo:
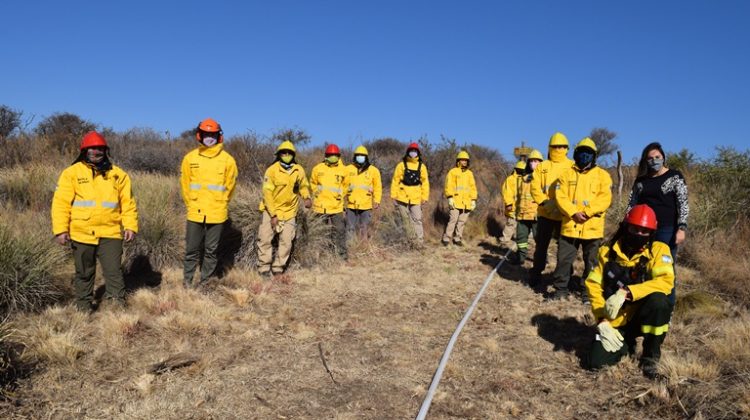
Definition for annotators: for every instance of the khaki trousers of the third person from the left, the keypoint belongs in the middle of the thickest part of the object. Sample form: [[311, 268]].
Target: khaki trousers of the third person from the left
[[266, 261]]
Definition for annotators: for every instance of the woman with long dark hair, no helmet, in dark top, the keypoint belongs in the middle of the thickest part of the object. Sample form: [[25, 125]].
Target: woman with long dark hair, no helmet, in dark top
[[665, 191]]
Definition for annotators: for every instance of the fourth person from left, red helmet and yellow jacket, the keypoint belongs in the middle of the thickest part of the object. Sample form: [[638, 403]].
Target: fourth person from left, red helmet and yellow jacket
[[329, 182]]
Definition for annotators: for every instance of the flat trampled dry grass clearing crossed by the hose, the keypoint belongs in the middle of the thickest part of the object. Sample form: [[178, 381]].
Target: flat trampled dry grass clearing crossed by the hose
[[252, 348]]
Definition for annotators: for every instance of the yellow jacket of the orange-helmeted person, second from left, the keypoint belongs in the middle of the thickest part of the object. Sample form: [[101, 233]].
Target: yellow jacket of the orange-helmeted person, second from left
[[208, 177]]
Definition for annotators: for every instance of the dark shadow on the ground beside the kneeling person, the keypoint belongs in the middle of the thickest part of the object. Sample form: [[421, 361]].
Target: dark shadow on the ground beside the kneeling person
[[567, 334]]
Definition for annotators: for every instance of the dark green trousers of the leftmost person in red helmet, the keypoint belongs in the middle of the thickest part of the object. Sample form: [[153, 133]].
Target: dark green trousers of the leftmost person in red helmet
[[109, 254]]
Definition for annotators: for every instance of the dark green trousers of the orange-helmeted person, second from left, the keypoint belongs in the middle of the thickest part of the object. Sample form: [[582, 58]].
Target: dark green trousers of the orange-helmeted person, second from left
[[201, 239]]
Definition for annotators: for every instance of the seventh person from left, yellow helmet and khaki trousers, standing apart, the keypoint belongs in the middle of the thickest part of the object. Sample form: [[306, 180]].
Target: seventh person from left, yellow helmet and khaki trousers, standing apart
[[461, 192]]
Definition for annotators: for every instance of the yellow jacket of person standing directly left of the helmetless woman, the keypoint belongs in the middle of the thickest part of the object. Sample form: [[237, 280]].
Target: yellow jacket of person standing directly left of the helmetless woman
[[589, 192]]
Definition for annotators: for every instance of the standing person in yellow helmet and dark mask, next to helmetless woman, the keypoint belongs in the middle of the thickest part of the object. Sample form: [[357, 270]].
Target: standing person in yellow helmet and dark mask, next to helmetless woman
[[584, 193]]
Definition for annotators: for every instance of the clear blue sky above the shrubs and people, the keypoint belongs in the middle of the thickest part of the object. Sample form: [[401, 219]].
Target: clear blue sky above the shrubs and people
[[486, 72]]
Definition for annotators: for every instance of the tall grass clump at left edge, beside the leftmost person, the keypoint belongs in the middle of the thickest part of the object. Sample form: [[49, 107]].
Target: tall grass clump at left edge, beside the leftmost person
[[29, 263]]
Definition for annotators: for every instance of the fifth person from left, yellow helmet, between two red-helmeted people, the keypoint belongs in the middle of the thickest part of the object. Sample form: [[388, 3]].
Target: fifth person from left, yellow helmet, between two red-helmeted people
[[364, 193]]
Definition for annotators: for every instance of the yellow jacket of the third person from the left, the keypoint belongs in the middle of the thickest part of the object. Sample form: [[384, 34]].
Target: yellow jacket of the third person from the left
[[281, 190]]
